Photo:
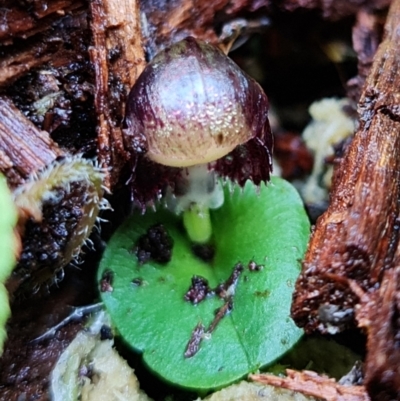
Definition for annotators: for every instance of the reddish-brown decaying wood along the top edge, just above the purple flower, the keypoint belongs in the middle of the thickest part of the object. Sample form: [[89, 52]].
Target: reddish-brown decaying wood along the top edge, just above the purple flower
[[177, 19]]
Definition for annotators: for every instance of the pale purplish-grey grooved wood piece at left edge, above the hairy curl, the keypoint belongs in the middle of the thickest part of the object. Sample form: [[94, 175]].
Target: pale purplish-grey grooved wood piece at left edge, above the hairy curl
[[24, 149]]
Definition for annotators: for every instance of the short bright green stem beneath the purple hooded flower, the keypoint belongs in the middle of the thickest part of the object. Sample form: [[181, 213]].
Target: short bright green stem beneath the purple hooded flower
[[197, 222]]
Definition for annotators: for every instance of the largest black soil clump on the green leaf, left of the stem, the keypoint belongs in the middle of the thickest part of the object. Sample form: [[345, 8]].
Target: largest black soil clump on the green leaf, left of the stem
[[155, 245]]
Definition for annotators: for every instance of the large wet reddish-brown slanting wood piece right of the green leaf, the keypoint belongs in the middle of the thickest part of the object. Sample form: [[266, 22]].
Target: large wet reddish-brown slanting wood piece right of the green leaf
[[358, 235]]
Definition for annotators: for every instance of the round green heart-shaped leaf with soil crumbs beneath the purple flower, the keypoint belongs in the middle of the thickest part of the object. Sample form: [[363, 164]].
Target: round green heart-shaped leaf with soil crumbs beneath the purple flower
[[146, 302]]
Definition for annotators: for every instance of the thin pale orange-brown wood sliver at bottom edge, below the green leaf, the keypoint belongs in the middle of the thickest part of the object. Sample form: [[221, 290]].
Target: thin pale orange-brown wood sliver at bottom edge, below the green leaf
[[311, 384]]
